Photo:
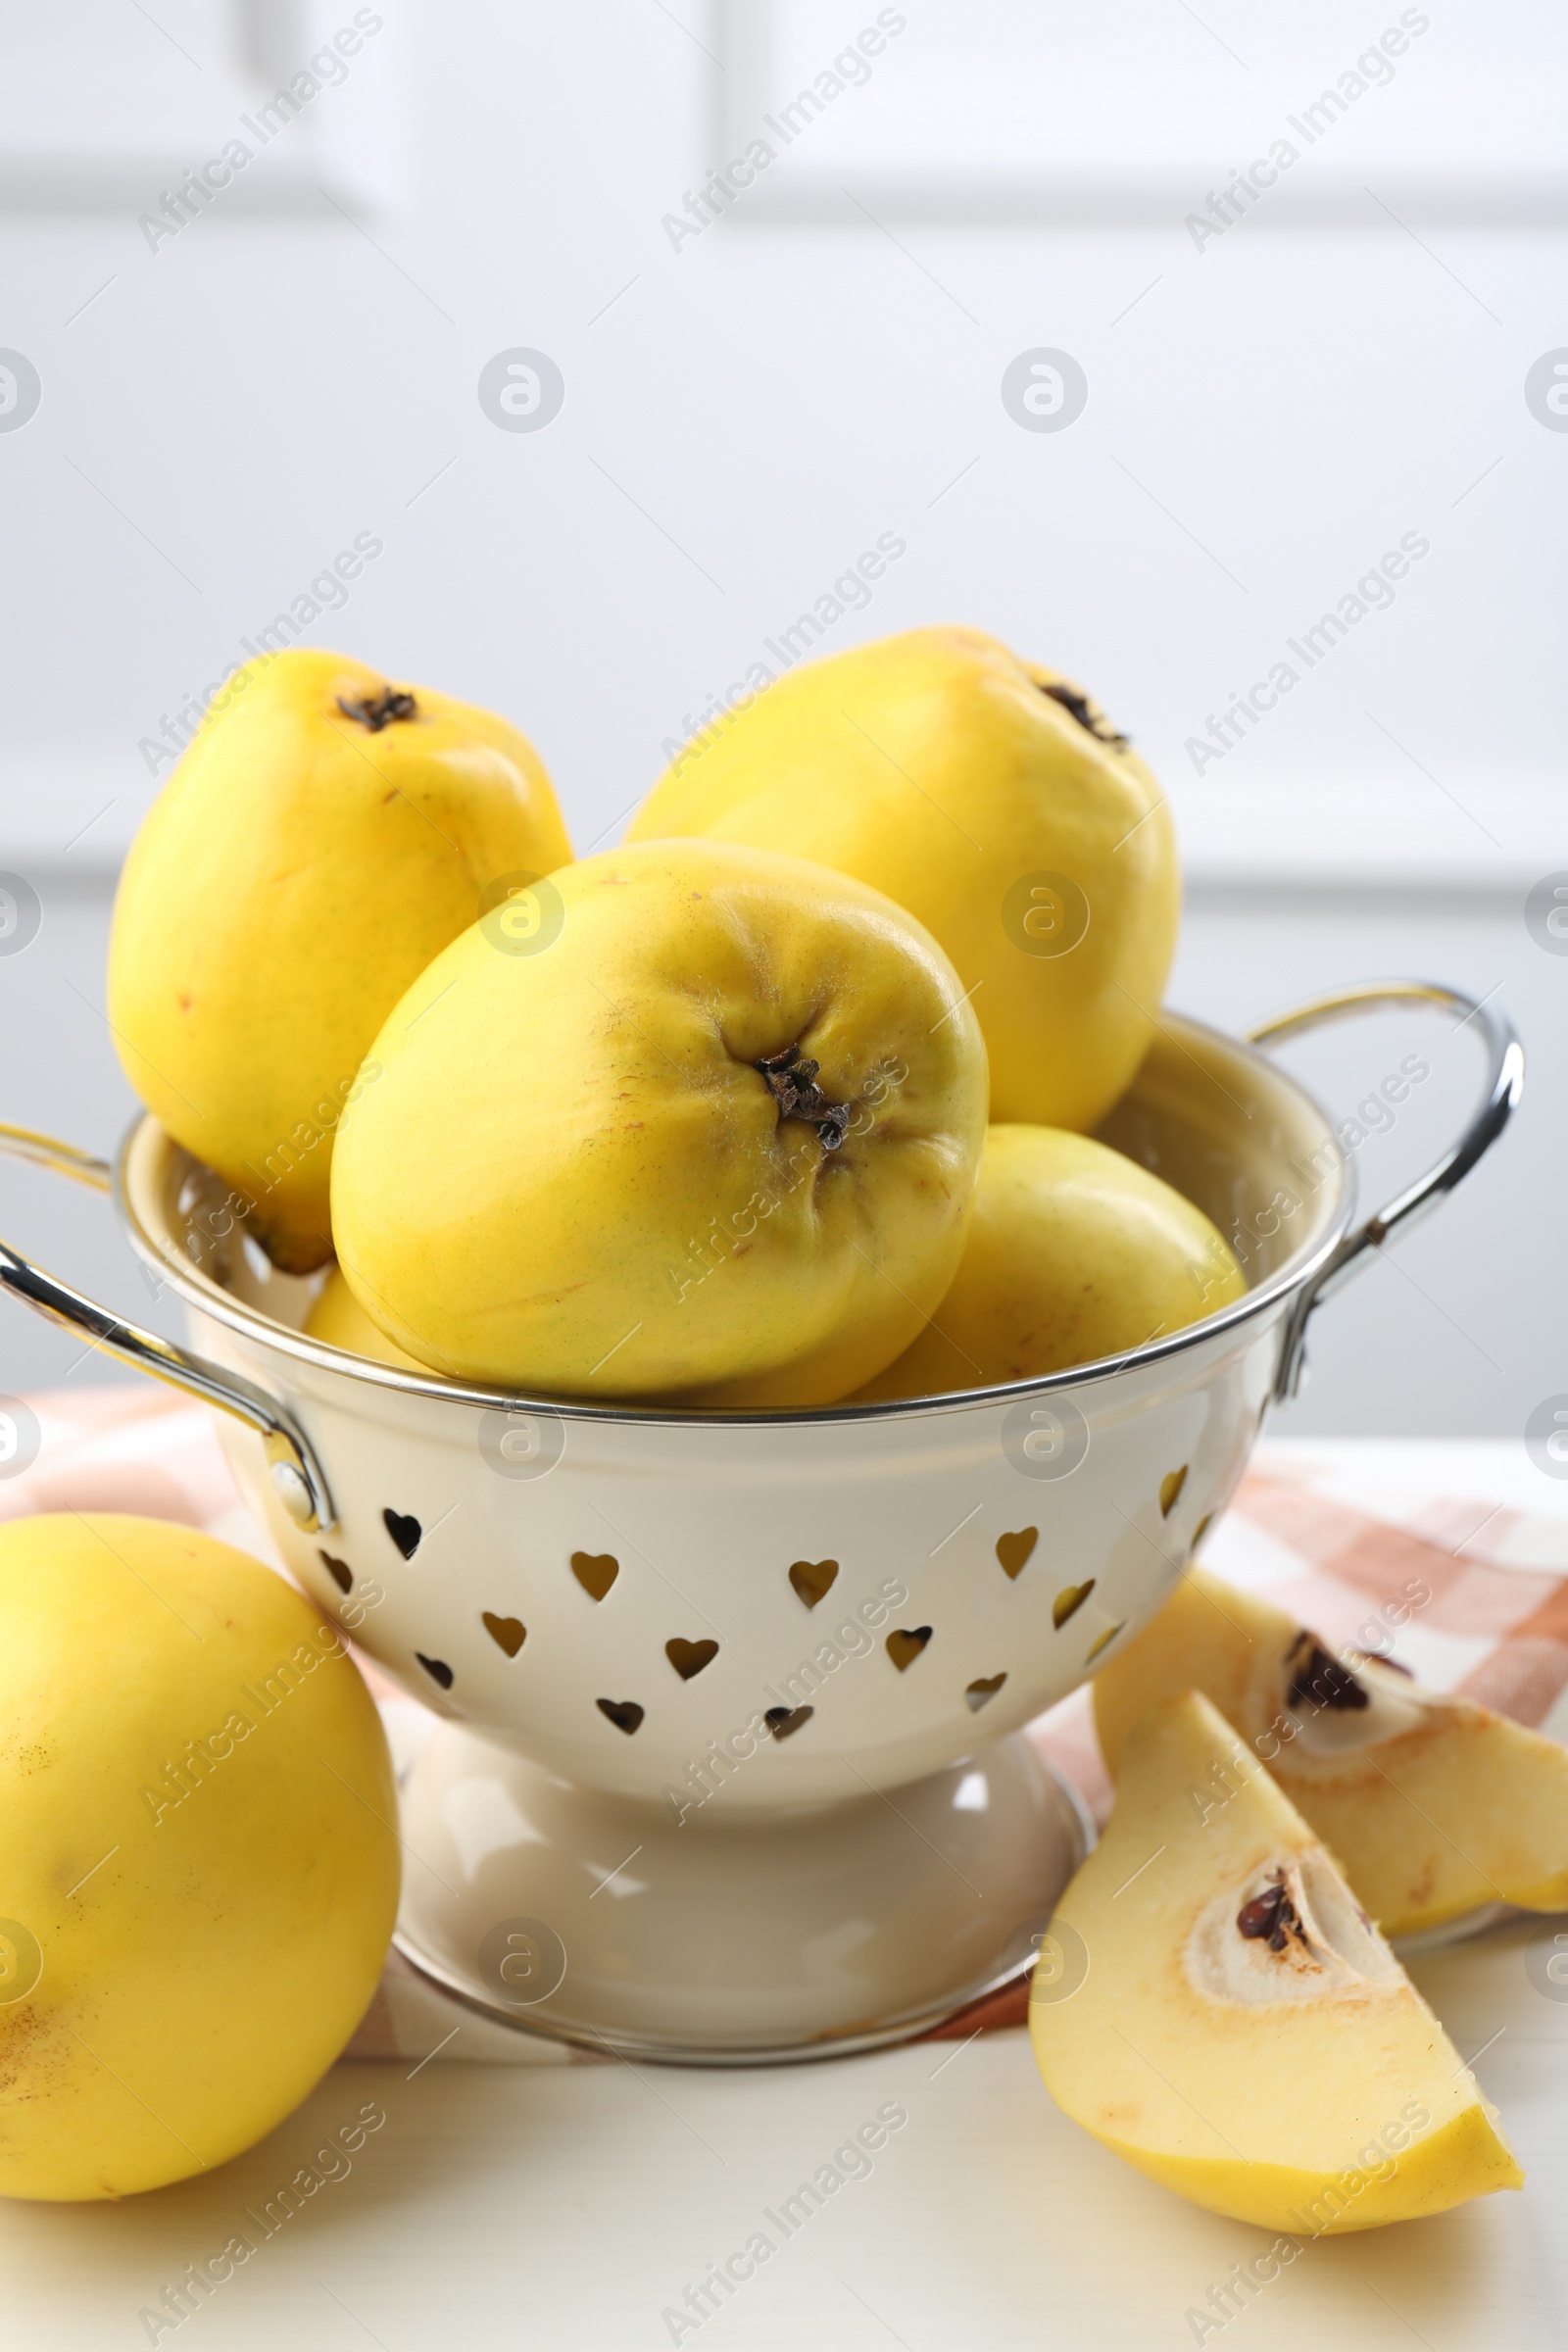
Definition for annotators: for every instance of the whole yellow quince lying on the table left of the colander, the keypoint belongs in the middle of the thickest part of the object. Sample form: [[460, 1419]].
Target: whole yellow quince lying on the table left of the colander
[[201, 1970]]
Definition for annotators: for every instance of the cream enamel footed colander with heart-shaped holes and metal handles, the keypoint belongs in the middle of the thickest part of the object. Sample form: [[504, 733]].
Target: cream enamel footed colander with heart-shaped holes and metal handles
[[730, 1756]]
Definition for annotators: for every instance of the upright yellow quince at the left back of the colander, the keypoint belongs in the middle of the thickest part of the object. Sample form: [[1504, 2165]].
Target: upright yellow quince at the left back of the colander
[[295, 874]]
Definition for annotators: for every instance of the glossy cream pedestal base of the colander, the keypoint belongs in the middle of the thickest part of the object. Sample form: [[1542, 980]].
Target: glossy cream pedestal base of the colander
[[730, 1937]]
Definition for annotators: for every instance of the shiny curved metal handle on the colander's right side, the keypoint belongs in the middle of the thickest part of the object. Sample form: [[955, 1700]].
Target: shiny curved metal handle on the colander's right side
[[1492, 1116]]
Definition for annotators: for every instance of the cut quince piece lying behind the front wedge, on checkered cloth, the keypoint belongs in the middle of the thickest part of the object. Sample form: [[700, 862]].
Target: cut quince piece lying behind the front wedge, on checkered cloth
[[1433, 1803]]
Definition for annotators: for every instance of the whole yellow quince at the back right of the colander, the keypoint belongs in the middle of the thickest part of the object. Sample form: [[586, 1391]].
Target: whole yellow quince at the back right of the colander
[[937, 770]]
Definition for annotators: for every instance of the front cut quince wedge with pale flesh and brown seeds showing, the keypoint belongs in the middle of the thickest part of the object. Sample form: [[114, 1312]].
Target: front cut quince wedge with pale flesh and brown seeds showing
[[1219, 2012]]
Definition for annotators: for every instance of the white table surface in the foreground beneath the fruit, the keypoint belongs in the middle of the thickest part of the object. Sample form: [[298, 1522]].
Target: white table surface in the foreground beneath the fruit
[[547, 2210]]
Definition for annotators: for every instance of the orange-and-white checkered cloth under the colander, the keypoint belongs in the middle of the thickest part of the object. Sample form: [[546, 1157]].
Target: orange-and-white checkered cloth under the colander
[[1334, 1530]]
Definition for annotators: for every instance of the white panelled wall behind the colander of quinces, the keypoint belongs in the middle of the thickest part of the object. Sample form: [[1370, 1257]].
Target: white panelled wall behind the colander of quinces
[[749, 408]]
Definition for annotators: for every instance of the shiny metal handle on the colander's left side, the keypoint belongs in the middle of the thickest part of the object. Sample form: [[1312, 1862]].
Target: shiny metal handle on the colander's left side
[[297, 1476]]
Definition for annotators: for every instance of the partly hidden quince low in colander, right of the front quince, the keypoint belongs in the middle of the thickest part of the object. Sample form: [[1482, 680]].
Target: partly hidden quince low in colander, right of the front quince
[[1073, 1255]]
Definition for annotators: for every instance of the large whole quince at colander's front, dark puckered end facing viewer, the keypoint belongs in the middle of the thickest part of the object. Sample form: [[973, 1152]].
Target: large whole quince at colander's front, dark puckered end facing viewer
[[697, 1121]]
